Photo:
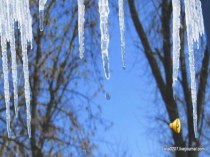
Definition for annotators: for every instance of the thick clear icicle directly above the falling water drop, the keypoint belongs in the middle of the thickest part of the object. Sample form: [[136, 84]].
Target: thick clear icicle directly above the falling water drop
[[104, 12]]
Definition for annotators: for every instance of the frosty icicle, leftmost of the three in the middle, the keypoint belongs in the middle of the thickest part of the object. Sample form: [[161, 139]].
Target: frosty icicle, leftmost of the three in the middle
[[81, 21]]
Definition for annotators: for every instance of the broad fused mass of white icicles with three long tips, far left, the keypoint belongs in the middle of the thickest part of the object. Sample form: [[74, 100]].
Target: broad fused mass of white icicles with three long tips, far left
[[12, 11]]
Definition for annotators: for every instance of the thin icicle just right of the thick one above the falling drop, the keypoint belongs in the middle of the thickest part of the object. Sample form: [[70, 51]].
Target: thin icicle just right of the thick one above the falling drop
[[122, 30]]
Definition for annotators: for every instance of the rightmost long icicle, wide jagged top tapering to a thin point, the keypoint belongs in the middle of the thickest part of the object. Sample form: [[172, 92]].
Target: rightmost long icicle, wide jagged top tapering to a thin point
[[195, 29]]
